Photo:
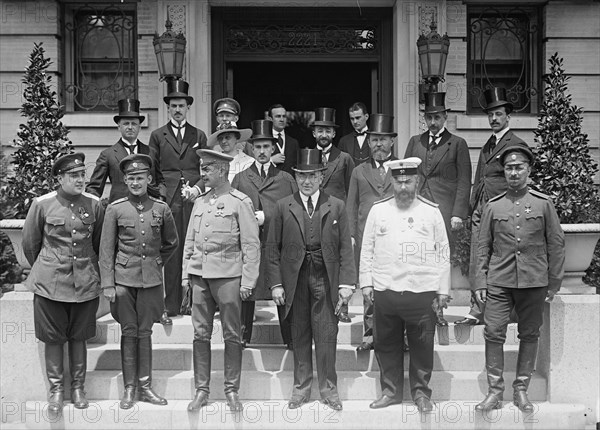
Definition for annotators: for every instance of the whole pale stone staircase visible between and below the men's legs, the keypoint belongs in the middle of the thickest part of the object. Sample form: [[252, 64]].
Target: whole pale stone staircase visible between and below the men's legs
[[458, 384]]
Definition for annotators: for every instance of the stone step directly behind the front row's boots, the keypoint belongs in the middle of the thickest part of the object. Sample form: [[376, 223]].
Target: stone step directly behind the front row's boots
[[264, 385]]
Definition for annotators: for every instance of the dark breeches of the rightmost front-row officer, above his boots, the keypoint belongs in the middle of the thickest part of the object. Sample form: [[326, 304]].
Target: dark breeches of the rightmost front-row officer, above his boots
[[528, 304]]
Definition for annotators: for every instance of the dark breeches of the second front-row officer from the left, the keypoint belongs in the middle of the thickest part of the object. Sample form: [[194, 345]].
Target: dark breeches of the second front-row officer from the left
[[136, 309]]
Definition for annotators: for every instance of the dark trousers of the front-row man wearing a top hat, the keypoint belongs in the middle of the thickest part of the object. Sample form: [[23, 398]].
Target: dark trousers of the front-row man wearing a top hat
[[313, 317]]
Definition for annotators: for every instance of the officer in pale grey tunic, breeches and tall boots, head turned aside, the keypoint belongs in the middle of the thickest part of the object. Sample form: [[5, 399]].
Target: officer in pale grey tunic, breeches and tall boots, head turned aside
[[221, 259]]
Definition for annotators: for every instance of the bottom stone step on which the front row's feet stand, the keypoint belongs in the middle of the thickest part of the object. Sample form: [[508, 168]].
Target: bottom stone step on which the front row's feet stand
[[274, 414]]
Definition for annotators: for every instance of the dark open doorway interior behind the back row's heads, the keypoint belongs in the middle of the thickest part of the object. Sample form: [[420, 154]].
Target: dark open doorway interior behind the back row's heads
[[302, 87]]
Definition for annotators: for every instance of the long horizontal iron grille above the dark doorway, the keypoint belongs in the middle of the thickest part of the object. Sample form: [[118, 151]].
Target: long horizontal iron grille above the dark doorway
[[300, 39]]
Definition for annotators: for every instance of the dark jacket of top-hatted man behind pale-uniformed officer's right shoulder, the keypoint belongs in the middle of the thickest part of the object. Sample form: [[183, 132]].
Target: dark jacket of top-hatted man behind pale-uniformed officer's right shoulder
[[264, 195]]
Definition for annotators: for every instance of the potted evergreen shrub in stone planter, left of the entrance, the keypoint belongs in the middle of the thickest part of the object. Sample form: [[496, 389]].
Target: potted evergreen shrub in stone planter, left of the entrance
[[39, 142]]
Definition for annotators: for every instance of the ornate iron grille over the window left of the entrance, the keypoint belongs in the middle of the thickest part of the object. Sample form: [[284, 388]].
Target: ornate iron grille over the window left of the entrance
[[101, 55]]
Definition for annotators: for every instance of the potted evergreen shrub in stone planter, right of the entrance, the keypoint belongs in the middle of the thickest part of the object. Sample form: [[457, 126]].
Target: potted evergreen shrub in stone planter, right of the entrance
[[565, 170]]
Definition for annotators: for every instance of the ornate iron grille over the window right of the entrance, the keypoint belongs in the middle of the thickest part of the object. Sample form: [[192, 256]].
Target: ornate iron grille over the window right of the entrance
[[504, 49]]
